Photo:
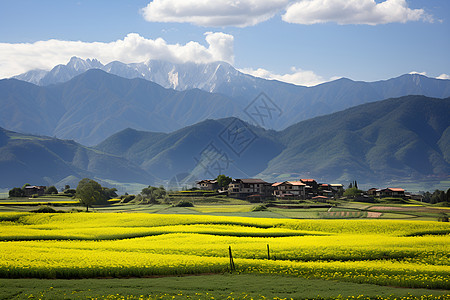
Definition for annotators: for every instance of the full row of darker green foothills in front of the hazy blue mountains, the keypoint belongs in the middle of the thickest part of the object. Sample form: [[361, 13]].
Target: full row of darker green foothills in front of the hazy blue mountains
[[405, 138]]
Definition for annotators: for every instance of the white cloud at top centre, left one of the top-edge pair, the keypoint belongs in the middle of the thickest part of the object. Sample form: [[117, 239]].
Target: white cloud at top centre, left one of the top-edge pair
[[240, 13]]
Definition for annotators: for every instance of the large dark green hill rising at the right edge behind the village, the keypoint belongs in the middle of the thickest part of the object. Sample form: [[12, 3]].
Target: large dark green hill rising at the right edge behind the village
[[396, 138]]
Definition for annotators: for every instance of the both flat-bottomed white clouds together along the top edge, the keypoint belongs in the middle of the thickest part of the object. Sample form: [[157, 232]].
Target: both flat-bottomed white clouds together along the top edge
[[242, 13]]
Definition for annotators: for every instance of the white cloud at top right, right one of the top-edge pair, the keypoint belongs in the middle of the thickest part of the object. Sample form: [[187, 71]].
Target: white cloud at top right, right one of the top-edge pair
[[353, 12]]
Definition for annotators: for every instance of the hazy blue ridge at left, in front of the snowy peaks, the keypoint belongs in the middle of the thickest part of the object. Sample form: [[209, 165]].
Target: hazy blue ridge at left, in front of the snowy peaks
[[95, 104]]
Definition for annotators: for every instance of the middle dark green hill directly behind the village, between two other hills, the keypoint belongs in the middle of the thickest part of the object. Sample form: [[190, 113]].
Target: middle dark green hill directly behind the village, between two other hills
[[203, 149]]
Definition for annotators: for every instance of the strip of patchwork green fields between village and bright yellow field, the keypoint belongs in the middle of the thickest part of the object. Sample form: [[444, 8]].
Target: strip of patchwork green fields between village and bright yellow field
[[223, 206]]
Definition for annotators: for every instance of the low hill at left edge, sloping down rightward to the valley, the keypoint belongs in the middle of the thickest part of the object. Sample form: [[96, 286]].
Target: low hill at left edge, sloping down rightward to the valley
[[48, 161]]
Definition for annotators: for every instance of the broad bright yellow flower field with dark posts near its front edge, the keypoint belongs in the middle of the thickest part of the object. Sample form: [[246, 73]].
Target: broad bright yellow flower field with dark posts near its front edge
[[79, 245]]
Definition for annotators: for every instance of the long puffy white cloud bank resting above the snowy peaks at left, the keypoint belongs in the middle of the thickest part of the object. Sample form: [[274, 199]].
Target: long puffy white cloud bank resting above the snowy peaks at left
[[19, 58]]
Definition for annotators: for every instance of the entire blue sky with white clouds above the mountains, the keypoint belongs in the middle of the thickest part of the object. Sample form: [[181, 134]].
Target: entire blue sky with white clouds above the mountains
[[304, 42]]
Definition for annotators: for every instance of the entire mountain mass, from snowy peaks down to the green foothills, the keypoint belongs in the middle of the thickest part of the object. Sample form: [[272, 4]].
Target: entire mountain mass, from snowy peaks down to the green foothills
[[163, 123]]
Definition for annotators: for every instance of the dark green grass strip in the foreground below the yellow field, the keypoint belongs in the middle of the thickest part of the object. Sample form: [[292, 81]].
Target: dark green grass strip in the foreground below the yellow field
[[237, 286]]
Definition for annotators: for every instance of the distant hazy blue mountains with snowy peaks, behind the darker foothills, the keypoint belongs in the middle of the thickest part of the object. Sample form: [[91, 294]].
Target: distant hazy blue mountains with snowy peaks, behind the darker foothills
[[80, 101]]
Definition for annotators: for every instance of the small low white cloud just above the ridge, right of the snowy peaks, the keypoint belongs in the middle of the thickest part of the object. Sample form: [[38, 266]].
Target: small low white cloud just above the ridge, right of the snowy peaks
[[297, 76]]
